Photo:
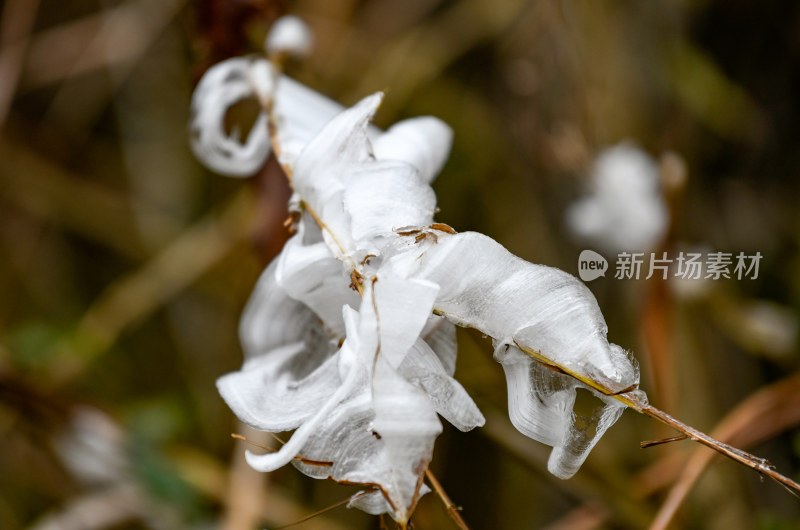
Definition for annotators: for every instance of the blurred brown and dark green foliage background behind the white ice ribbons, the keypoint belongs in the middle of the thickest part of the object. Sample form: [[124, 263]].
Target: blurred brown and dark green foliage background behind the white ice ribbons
[[125, 264]]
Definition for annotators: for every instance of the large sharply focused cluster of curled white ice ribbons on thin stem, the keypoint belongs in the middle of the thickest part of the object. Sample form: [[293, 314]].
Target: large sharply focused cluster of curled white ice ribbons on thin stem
[[349, 336]]
